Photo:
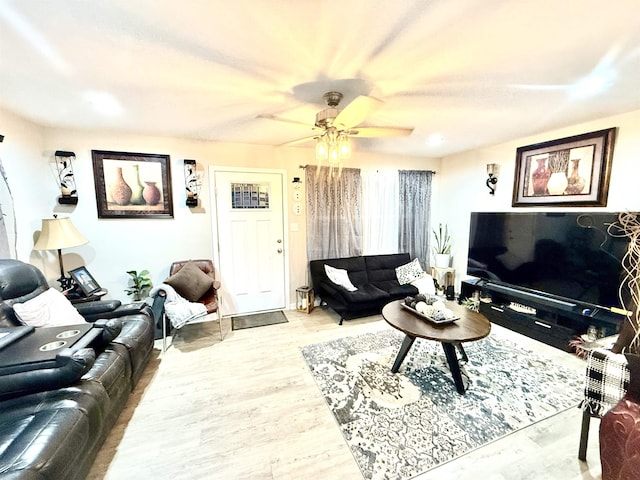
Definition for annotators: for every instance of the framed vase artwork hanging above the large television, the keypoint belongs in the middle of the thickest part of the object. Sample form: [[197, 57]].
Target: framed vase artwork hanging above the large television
[[570, 171]]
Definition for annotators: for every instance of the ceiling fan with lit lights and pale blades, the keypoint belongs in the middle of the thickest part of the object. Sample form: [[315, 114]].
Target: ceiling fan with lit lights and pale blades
[[336, 125]]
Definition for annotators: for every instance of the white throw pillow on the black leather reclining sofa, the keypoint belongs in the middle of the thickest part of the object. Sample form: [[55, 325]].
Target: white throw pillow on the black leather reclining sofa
[[49, 309]]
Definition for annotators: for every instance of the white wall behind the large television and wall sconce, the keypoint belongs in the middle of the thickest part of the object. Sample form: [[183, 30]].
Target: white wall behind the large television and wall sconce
[[463, 179]]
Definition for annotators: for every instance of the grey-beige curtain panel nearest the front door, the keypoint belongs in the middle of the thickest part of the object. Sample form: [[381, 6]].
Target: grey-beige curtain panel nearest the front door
[[334, 219]]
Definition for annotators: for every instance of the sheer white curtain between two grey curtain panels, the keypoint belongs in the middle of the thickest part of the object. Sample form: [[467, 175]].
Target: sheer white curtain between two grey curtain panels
[[380, 210]]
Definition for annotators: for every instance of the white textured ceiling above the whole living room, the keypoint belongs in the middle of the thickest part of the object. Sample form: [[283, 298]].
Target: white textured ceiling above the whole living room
[[472, 72]]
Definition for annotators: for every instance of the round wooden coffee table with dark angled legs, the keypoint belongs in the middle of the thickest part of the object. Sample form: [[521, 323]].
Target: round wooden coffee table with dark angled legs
[[471, 326]]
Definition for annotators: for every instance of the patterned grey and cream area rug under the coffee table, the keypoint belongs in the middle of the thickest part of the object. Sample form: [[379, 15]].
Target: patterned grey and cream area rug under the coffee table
[[400, 425]]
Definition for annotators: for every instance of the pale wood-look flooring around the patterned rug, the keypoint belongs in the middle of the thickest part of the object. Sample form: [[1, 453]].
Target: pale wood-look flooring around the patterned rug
[[247, 408]]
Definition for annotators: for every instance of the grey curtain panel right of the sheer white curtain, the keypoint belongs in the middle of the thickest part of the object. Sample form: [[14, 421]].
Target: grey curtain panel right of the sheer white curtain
[[414, 222]]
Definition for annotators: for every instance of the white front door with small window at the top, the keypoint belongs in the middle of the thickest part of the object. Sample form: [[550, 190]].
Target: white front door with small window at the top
[[251, 244]]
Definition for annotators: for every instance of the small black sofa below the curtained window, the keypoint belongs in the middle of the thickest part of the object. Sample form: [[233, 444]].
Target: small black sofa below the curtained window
[[374, 276]]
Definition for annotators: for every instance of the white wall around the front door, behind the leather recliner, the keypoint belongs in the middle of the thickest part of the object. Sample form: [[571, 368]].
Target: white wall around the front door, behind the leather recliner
[[118, 245]]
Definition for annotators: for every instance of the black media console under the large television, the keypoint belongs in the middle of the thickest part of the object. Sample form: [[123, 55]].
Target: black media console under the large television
[[547, 319]]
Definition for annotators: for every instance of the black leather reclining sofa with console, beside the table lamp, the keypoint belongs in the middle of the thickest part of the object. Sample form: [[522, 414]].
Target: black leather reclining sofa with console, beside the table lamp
[[52, 426]]
